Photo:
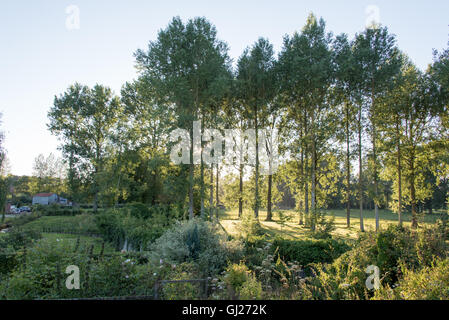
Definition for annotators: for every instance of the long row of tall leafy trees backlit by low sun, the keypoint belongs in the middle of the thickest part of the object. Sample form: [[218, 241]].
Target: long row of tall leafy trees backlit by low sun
[[348, 112]]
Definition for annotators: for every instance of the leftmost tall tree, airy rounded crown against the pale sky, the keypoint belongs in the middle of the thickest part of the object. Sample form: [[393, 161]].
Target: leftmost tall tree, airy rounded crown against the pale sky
[[85, 119]]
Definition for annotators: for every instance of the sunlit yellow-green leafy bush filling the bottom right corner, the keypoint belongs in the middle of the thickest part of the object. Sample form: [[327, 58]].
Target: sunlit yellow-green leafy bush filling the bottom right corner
[[392, 250]]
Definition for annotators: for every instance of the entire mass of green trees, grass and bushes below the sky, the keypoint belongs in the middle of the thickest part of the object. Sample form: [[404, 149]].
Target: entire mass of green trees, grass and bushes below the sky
[[355, 179]]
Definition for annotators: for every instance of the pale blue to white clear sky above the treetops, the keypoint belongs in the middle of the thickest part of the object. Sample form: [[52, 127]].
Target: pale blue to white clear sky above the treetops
[[45, 46]]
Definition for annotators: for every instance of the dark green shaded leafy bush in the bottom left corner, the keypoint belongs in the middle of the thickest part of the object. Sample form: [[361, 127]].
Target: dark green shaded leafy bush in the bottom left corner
[[41, 274]]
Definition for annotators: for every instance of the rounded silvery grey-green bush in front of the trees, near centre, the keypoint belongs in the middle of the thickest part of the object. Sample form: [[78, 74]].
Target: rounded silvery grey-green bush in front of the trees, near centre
[[197, 241]]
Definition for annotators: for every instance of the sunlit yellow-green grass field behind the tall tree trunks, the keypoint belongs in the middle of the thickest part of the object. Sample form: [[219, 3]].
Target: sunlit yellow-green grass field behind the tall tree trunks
[[292, 229]]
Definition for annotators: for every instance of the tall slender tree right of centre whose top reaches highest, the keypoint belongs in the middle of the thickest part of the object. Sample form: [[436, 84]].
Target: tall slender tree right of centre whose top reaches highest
[[308, 71]]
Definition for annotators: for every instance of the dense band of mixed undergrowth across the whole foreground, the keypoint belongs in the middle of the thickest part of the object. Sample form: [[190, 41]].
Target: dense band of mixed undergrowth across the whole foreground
[[153, 244]]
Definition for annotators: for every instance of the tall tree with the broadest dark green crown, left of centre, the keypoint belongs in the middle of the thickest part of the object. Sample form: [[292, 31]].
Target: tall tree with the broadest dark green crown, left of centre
[[183, 64]]
